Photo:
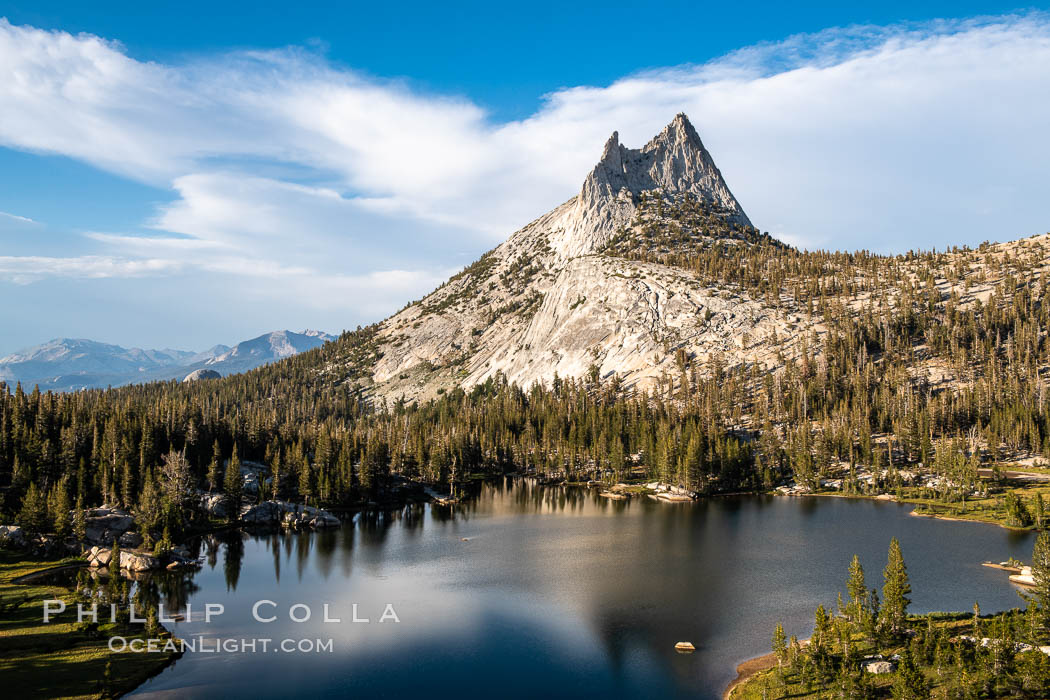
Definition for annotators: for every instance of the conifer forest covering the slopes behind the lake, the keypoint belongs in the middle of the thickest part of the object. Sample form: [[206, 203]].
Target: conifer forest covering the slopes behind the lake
[[932, 358]]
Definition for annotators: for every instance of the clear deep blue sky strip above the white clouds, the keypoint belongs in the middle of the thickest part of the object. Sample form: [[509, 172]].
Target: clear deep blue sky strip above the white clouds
[[502, 56]]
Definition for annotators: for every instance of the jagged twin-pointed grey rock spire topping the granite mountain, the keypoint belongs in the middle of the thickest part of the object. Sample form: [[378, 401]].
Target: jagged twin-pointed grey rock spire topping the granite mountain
[[675, 162]]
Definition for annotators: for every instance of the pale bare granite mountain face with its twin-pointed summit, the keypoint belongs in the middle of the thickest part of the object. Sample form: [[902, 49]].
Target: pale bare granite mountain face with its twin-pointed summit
[[573, 294]]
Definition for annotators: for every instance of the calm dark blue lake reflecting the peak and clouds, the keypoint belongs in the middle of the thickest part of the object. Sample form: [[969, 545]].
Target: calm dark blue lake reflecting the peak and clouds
[[557, 592]]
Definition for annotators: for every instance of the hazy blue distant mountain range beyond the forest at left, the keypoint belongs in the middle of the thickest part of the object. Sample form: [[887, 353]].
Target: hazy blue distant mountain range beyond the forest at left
[[69, 365]]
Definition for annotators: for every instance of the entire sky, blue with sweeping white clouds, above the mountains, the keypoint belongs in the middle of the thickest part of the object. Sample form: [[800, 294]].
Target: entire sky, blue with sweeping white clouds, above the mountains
[[182, 175]]
